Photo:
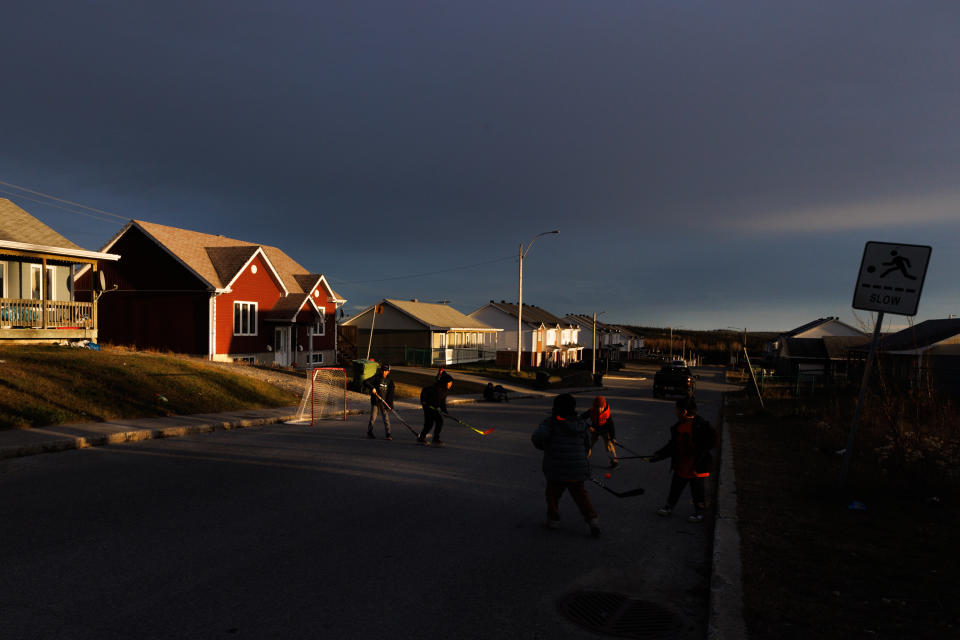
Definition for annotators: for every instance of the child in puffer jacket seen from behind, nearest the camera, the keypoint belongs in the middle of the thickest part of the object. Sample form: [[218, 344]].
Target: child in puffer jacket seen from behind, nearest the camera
[[565, 441]]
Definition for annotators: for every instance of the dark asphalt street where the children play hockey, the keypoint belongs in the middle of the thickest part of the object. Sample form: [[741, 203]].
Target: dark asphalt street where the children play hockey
[[316, 532]]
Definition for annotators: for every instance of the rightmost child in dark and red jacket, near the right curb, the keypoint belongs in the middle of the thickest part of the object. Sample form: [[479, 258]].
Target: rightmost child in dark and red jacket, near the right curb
[[691, 439]]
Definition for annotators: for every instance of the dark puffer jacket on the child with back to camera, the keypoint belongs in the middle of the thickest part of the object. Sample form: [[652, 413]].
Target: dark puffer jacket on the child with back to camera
[[564, 442]]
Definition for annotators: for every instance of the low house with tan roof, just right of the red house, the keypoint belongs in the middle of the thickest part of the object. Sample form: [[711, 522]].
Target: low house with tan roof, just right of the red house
[[423, 333]]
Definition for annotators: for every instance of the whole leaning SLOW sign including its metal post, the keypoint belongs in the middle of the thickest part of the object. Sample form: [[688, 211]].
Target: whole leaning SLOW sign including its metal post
[[890, 281]]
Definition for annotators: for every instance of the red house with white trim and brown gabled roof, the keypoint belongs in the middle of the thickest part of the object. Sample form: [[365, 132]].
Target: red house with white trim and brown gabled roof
[[190, 292]]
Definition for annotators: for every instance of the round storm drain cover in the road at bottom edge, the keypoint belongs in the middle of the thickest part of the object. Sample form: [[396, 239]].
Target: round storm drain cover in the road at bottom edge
[[616, 614]]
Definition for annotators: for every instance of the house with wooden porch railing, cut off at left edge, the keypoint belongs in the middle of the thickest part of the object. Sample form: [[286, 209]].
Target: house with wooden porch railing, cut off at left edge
[[38, 294]]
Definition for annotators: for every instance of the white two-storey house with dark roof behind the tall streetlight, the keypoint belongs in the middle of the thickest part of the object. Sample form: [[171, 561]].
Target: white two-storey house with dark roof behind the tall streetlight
[[547, 340]]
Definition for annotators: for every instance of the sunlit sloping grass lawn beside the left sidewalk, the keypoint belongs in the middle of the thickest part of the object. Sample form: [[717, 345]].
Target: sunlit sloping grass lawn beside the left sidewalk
[[42, 385]]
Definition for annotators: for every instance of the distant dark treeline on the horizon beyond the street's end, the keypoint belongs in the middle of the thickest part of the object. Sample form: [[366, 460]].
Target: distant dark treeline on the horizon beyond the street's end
[[713, 347]]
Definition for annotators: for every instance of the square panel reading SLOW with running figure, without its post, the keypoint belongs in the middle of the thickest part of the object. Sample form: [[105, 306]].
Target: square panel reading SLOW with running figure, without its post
[[891, 277]]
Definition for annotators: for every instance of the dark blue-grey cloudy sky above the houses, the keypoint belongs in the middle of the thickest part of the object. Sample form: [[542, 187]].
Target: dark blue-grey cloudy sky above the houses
[[707, 163]]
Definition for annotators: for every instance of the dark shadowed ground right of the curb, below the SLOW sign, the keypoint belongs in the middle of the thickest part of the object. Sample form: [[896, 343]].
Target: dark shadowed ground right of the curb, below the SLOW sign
[[813, 567]]
